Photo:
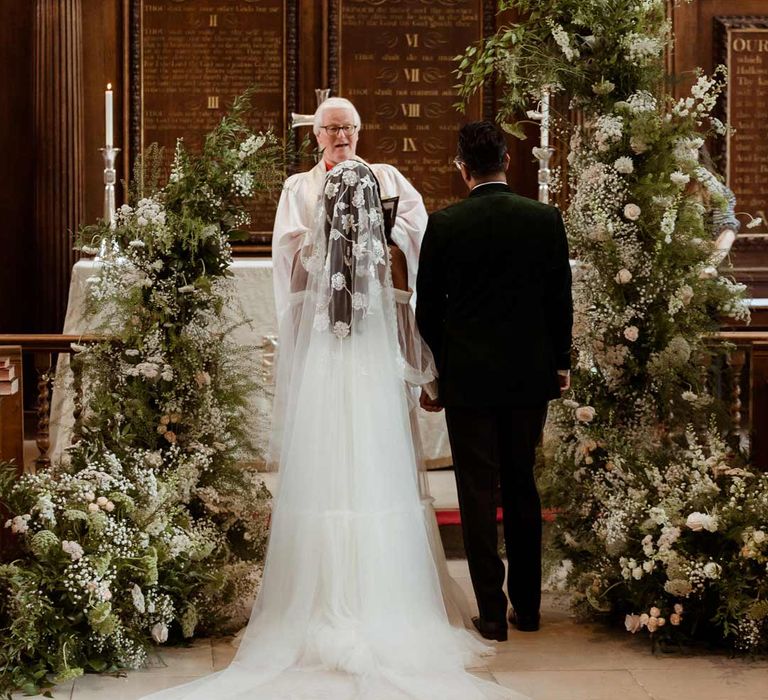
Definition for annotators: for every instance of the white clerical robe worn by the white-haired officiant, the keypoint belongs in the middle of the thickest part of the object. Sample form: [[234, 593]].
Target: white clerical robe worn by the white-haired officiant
[[298, 207]]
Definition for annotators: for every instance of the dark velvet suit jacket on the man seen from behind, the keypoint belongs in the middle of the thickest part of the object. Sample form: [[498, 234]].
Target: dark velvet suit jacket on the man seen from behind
[[494, 299]]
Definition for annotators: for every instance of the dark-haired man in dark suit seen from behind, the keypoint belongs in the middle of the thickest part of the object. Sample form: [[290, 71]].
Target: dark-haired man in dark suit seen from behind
[[494, 305]]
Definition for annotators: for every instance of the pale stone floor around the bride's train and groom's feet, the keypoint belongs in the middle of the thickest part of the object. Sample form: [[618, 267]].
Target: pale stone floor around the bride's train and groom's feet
[[564, 661]]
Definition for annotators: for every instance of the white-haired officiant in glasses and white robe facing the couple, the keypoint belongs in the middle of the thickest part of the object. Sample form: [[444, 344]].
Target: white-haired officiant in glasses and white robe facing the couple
[[337, 127]]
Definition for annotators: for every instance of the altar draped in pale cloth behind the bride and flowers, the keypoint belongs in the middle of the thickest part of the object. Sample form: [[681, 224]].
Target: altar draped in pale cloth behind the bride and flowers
[[254, 301]]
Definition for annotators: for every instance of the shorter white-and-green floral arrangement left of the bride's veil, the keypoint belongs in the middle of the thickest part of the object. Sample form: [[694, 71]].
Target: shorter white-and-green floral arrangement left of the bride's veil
[[150, 529]]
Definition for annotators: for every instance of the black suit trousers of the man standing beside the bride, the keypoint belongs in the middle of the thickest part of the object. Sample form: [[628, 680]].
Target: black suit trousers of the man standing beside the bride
[[494, 451]]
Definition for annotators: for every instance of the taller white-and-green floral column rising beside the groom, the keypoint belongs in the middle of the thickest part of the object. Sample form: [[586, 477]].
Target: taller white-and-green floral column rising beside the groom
[[660, 522]]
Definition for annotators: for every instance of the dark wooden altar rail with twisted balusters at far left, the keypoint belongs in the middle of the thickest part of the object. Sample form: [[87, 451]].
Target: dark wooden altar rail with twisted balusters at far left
[[42, 348]]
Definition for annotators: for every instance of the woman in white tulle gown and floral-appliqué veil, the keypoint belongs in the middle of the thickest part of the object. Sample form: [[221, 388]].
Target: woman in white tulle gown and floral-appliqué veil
[[350, 606]]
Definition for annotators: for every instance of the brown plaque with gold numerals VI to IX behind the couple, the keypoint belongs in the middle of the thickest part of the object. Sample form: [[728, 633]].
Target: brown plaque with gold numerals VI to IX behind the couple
[[406, 88]]
